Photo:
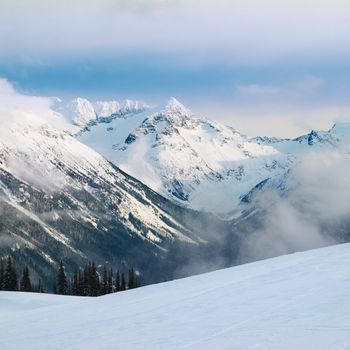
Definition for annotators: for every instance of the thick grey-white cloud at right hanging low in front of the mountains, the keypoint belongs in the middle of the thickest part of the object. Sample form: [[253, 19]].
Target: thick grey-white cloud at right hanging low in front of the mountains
[[311, 214]]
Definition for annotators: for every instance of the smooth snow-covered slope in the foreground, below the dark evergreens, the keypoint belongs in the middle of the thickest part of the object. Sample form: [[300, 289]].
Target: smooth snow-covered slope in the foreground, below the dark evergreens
[[299, 301]]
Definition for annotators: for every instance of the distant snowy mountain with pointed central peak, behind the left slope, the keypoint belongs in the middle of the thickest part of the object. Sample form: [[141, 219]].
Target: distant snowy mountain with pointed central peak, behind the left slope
[[196, 162]]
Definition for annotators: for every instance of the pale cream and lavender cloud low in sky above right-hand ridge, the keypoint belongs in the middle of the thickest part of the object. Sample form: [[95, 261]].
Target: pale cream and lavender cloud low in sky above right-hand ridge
[[288, 109]]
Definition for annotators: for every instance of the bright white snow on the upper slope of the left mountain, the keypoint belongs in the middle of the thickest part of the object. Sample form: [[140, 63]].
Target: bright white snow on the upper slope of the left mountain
[[45, 158]]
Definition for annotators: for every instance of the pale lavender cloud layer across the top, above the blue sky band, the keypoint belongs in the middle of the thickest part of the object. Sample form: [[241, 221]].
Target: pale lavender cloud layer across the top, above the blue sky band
[[244, 32]]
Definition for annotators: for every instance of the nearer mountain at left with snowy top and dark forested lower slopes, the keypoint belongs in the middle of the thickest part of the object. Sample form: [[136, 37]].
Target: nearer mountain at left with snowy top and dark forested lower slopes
[[61, 199]]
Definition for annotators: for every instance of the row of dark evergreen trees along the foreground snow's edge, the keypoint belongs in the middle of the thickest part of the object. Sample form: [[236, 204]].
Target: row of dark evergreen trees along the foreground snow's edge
[[86, 281]]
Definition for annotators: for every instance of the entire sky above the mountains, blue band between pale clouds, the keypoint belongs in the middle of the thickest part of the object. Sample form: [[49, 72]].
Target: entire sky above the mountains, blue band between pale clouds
[[267, 67]]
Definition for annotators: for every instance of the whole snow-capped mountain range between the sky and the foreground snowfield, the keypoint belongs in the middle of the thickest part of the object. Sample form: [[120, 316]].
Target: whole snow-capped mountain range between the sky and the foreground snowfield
[[127, 184]]
